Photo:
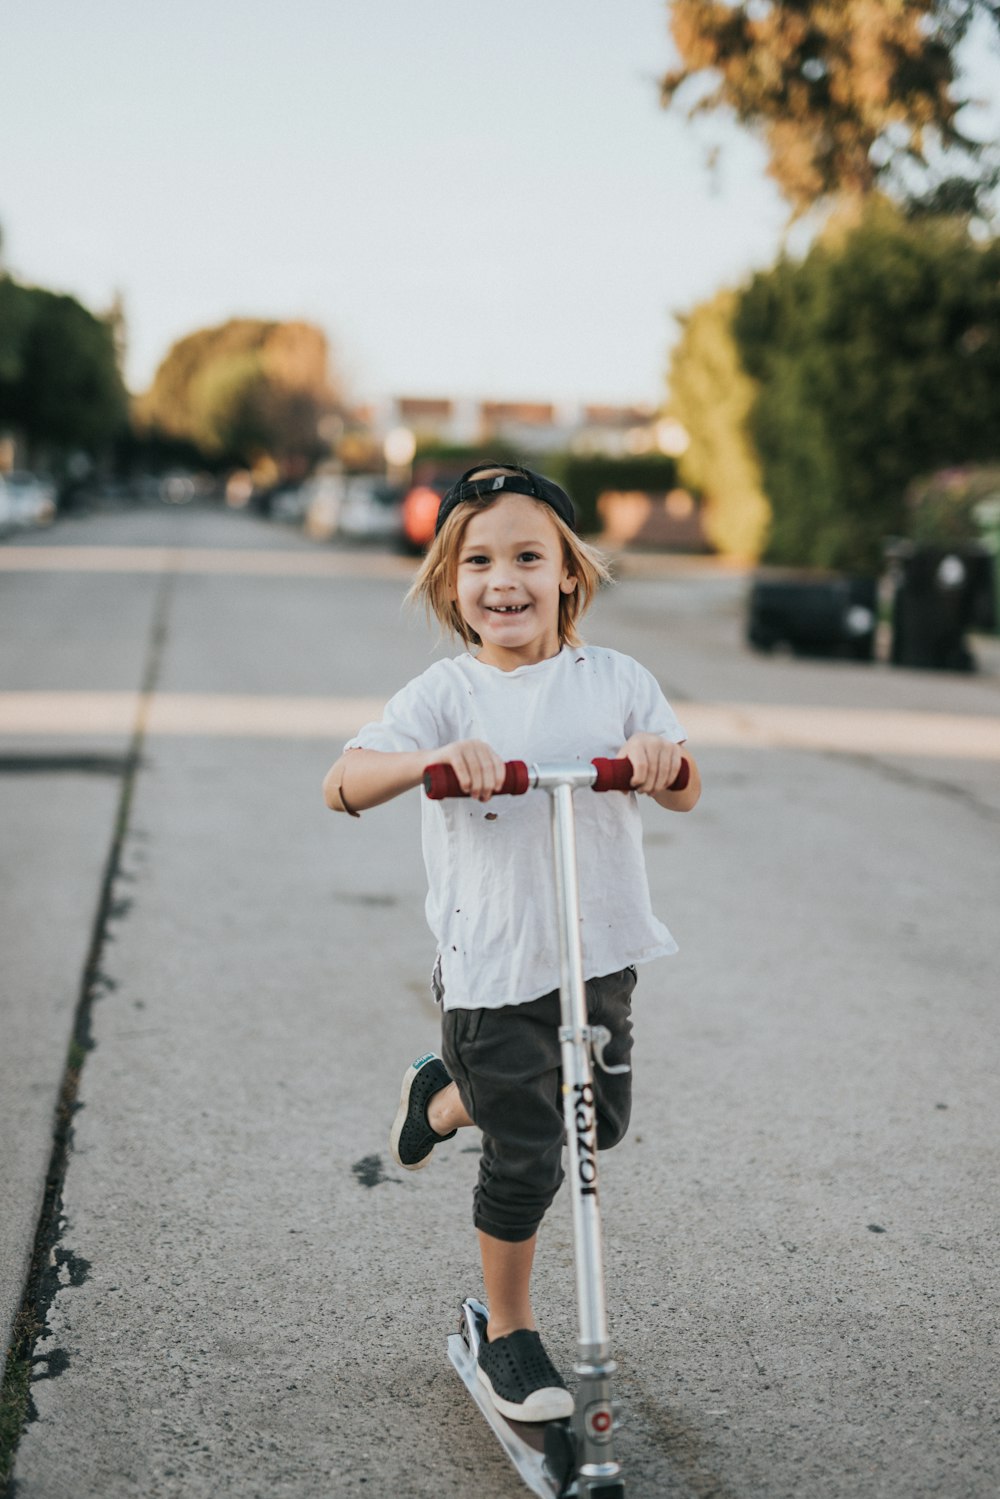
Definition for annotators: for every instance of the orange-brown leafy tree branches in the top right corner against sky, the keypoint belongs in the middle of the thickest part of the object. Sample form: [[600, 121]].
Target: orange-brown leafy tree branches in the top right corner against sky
[[848, 95]]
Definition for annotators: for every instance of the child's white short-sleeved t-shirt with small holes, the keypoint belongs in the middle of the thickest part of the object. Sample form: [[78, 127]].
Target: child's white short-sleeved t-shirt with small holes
[[491, 902]]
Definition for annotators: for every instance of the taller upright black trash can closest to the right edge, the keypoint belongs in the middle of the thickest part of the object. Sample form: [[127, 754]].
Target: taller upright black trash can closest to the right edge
[[939, 594]]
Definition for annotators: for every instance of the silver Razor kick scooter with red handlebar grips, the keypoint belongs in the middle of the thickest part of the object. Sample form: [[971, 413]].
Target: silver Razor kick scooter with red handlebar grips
[[572, 1459]]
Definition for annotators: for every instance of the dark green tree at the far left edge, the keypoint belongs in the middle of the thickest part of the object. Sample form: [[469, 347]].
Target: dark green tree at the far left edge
[[61, 384]]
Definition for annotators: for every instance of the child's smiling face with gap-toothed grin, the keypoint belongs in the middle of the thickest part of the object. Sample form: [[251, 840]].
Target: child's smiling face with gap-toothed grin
[[510, 575]]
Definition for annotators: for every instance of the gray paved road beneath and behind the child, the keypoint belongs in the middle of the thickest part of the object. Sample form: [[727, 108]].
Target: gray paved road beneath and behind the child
[[248, 1297]]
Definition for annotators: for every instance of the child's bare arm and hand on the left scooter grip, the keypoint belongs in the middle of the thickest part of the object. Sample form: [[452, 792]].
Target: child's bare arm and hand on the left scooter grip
[[365, 779]]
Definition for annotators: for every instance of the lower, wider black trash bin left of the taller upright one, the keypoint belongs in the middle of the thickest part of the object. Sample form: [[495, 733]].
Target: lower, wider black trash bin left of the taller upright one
[[819, 615]]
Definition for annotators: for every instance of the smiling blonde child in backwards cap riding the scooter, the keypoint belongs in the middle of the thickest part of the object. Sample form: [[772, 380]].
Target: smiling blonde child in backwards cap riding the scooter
[[509, 576]]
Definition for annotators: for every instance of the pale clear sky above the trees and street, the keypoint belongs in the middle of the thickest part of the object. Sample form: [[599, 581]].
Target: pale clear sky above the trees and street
[[470, 197]]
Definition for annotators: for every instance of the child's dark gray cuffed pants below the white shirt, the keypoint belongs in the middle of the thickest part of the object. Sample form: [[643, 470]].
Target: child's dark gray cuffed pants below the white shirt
[[507, 1068]]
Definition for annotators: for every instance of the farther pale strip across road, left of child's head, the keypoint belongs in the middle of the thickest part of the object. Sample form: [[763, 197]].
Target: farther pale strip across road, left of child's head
[[245, 561]]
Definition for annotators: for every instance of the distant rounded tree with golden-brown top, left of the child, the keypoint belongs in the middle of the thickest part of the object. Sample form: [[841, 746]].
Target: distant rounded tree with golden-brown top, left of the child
[[245, 390]]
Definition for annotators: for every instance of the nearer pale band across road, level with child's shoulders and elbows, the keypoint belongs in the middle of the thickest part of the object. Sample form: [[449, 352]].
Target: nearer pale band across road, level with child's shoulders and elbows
[[753, 726]]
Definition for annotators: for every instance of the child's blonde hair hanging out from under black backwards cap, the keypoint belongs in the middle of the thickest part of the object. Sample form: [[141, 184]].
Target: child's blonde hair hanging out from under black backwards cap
[[436, 581]]
